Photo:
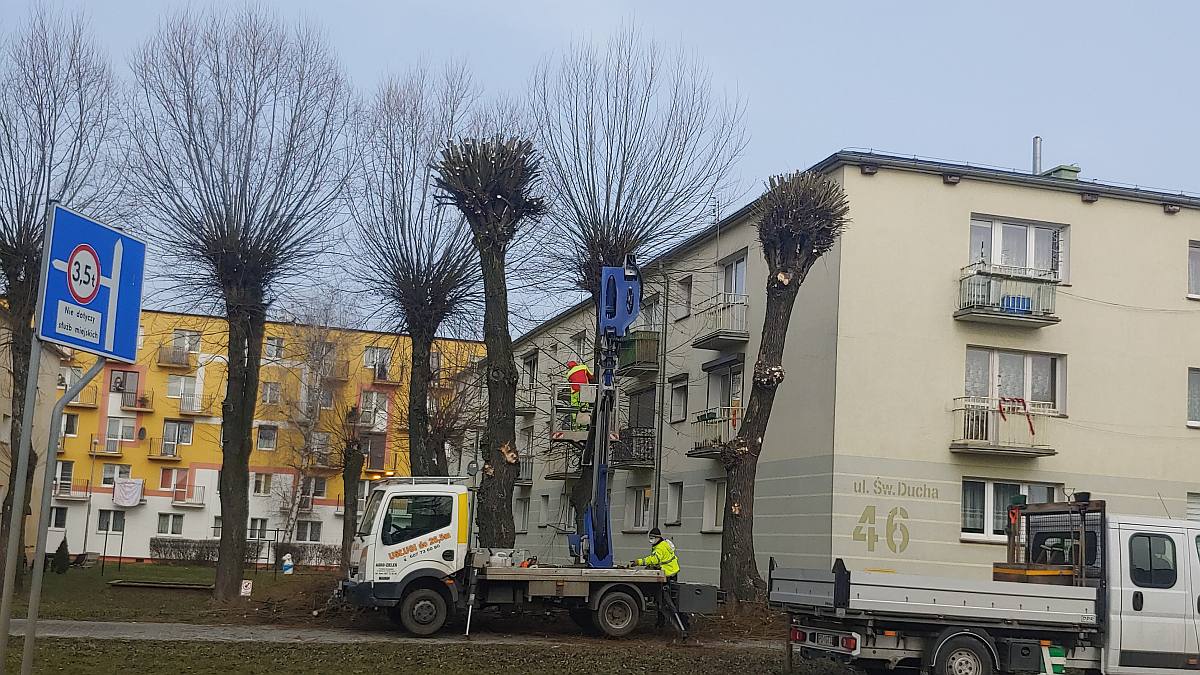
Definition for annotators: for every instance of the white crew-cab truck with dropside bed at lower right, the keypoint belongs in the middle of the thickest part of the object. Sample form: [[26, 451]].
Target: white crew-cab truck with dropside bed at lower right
[[1082, 590]]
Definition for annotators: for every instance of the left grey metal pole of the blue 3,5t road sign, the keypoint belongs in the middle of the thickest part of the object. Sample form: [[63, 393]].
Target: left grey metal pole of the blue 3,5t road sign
[[13, 555]]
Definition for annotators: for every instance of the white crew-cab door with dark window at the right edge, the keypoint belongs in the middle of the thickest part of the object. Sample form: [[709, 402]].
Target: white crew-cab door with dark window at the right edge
[[1156, 602]]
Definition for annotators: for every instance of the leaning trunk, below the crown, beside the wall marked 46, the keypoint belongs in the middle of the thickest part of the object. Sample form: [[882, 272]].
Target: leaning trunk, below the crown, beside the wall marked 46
[[740, 572]]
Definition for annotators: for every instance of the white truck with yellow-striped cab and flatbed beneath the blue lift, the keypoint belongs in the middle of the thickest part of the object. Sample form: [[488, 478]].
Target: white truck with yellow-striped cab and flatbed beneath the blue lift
[[412, 558]]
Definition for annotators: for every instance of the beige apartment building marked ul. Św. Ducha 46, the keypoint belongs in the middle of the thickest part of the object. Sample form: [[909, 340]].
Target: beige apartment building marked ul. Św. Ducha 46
[[977, 334]]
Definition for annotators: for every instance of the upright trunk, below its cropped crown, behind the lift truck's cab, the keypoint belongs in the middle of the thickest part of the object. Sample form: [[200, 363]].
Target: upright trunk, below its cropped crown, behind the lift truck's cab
[[501, 457]]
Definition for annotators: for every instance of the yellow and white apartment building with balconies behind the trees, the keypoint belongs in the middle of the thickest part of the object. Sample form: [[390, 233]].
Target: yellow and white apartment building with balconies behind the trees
[[154, 428]]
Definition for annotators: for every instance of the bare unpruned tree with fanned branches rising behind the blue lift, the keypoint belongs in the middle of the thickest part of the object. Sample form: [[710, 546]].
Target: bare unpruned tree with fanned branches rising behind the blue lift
[[635, 147]]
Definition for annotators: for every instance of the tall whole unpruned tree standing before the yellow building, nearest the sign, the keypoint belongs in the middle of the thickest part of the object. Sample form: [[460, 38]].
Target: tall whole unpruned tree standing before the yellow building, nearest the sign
[[241, 154]]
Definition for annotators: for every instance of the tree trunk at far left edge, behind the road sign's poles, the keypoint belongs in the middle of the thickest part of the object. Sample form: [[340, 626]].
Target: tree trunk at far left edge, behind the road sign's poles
[[22, 297]]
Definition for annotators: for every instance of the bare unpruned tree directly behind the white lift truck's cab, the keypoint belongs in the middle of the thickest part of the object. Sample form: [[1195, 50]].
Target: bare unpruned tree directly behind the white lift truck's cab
[[415, 255]]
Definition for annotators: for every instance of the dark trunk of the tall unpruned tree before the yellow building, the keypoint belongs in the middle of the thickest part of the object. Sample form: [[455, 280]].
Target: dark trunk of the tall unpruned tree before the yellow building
[[247, 315]]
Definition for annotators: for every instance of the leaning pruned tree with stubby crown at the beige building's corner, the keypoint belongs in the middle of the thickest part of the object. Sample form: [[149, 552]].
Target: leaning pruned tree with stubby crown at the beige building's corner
[[800, 219]]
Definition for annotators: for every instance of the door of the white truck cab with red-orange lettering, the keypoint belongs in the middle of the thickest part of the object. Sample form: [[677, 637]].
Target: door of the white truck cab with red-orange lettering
[[418, 531]]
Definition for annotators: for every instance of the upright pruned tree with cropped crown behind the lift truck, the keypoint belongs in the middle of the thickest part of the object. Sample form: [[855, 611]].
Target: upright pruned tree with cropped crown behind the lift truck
[[495, 183]]
